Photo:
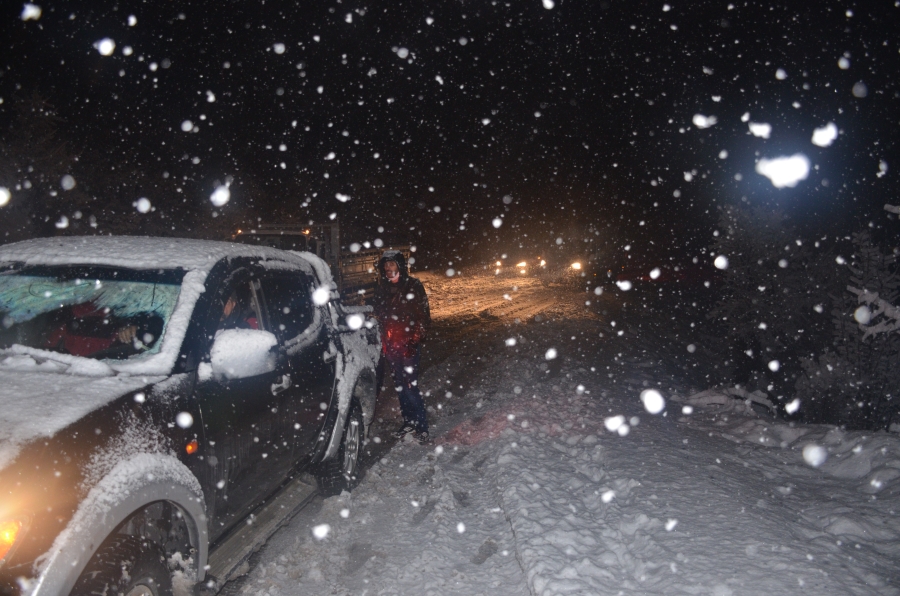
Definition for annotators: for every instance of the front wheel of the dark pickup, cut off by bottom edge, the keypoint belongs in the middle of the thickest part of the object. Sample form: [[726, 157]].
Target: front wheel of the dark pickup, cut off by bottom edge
[[126, 566]]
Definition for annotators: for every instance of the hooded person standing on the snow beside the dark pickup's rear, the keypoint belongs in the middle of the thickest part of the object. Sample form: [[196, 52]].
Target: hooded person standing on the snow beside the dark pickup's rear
[[401, 306]]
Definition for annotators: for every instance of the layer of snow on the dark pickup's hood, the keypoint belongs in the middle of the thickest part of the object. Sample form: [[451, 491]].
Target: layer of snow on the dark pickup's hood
[[37, 405]]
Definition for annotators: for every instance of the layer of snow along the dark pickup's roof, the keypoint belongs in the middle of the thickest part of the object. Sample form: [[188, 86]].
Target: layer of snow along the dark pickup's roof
[[142, 252]]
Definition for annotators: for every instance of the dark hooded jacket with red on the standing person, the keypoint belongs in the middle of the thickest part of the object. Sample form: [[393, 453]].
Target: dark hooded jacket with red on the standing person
[[402, 307]]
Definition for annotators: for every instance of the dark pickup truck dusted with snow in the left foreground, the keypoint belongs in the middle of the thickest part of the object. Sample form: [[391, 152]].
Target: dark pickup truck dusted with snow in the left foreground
[[158, 395]]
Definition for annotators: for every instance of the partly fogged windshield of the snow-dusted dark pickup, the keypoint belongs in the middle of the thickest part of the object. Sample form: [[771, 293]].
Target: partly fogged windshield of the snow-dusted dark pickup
[[100, 313]]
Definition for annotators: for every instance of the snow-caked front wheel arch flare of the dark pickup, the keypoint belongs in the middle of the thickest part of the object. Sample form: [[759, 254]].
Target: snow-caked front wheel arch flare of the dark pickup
[[134, 483]]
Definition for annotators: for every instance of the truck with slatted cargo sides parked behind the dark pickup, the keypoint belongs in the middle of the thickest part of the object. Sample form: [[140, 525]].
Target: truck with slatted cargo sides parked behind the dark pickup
[[352, 267]]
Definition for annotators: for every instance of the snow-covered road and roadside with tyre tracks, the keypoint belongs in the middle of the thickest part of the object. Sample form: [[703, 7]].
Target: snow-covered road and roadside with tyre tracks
[[528, 491]]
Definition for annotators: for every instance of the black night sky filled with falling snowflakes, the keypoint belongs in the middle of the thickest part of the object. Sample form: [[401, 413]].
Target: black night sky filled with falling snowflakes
[[581, 114]]
